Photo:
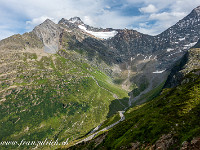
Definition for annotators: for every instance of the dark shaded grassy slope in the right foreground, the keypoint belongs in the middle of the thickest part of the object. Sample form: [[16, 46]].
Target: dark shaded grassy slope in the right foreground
[[175, 112]]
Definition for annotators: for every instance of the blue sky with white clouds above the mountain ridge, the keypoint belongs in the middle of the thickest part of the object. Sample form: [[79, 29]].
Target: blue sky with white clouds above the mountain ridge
[[147, 16]]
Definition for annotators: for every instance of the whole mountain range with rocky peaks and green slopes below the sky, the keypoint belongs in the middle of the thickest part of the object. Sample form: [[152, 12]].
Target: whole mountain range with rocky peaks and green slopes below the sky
[[61, 80]]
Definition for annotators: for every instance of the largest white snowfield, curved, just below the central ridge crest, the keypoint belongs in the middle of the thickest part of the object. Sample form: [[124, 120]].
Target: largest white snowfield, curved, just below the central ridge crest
[[101, 35]]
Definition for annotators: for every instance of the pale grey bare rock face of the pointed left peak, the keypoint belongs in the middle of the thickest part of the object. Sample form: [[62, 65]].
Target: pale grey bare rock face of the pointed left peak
[[49, 33]]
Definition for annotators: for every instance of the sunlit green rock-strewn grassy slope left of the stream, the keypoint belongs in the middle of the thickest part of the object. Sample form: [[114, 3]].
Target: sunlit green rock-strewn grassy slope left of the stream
[[52, 97]]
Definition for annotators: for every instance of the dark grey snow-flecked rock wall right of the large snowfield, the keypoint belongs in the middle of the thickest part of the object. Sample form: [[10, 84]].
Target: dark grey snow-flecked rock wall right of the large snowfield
[[169, 46]]
